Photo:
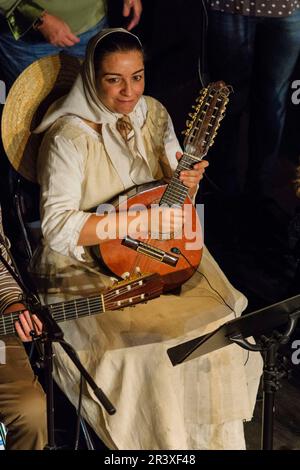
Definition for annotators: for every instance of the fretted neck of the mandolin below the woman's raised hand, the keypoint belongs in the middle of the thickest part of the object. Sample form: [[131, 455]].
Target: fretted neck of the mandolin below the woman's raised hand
[[176, 192]]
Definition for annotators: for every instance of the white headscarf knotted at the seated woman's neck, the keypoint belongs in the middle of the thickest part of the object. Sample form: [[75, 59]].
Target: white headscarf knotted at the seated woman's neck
[[83, 101]]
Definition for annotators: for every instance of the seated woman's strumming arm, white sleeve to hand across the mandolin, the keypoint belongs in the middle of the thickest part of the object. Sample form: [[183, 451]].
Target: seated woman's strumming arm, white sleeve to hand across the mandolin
[[66, 228]]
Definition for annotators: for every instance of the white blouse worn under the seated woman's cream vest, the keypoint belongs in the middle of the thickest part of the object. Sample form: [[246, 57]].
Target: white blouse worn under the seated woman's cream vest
[[60, 175]]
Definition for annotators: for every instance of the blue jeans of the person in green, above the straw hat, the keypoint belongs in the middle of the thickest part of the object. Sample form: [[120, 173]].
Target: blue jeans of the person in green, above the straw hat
[[15, 56]]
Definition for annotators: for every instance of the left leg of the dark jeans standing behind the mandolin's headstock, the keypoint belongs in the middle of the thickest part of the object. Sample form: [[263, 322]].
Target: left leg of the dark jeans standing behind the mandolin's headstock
[[230, 58]]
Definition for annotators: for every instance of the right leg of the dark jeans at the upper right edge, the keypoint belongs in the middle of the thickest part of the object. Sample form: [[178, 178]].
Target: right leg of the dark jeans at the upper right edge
[[277, 51]]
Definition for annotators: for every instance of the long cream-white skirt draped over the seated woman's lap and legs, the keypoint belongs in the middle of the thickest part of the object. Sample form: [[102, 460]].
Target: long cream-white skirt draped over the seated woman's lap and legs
[[199, 404]]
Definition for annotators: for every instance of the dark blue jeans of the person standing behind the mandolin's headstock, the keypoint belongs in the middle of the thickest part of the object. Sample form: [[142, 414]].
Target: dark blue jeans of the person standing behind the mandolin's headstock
[[257, 56]]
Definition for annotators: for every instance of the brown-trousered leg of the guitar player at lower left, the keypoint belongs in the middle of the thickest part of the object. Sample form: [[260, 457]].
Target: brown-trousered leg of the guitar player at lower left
[[22, 401]]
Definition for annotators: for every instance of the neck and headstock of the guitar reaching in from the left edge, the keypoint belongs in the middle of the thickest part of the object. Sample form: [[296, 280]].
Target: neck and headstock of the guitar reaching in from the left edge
[[134, 290]]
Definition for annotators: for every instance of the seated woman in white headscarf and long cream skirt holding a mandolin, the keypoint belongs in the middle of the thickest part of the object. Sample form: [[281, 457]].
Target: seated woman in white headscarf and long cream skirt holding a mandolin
[[85, 159]]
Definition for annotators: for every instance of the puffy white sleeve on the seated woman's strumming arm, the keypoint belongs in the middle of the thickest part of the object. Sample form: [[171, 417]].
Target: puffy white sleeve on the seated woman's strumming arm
[[60, 175]]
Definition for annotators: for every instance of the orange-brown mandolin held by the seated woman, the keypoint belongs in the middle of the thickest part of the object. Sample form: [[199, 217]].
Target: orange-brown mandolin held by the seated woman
[[177, 257]]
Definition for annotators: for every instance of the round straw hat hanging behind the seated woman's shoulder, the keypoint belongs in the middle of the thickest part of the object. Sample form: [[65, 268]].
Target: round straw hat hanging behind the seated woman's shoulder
[[32, 93]]
